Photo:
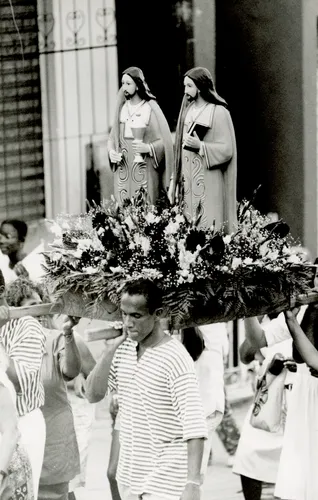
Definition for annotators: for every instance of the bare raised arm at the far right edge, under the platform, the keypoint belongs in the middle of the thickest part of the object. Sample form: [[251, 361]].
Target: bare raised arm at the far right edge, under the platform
[[307, 351]]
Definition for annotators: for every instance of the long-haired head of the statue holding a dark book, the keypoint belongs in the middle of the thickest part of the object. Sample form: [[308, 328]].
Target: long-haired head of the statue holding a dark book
[[199, 82]]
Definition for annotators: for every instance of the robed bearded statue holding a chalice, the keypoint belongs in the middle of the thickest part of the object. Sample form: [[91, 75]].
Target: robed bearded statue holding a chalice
[[140, 144]]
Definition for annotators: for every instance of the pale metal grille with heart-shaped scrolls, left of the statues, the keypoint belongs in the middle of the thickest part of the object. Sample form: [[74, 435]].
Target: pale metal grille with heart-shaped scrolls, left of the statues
[[79, 77]]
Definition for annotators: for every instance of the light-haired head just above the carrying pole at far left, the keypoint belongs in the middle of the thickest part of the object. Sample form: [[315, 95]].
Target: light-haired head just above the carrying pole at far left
[[23, 292]]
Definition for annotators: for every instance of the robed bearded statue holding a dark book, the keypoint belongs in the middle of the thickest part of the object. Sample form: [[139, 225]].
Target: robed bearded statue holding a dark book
[[206, 153]]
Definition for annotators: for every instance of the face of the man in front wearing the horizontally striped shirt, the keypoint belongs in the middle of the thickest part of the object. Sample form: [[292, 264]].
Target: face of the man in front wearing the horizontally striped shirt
[[137, 319]]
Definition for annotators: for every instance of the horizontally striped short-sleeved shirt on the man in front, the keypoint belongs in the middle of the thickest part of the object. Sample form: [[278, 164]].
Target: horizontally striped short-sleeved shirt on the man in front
[[160, 410]]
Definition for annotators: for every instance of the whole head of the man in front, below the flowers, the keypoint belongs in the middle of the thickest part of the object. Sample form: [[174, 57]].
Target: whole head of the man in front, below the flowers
[[141, 307]]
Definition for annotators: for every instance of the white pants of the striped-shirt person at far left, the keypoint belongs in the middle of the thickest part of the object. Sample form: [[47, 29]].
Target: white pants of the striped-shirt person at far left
[[33, 433]]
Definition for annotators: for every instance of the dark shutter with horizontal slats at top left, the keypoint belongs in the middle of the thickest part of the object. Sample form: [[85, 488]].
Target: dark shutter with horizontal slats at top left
[[21, 157]]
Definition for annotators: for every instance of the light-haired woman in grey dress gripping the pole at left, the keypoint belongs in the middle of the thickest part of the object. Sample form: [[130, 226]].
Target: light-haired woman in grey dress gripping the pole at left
[[61, 363]]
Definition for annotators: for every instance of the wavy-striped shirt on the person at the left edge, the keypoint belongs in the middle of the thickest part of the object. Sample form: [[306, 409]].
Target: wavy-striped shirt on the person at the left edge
[[24, 343]]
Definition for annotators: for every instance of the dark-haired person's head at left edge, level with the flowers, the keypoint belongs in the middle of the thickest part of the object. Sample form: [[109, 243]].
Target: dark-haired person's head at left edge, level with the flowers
[[12, 236]]
